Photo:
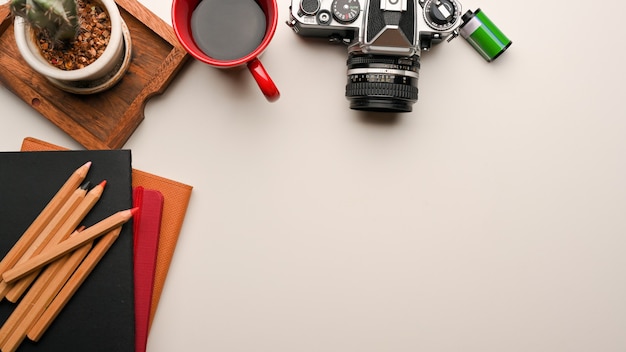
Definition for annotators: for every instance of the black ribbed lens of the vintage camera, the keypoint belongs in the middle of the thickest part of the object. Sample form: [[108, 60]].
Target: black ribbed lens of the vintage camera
[[382, 83]]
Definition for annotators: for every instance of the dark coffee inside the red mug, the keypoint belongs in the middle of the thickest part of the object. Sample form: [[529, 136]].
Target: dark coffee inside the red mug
[[228, 29]]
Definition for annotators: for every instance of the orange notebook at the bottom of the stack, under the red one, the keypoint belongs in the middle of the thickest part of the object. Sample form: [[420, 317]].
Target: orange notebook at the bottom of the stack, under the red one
[[176, 199]]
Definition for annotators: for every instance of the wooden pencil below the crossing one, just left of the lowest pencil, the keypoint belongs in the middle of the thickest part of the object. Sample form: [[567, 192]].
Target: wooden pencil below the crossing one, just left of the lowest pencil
[[60, 275]]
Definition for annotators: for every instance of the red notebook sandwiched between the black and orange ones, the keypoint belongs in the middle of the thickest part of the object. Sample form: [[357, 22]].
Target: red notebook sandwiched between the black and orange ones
[[147, 225]]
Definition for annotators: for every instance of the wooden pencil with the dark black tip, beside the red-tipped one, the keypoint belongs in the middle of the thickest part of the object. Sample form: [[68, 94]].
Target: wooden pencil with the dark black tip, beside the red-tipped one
[[44, 237]]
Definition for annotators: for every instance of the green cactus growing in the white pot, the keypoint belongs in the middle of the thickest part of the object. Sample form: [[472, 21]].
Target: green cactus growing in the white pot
[[55, 17]]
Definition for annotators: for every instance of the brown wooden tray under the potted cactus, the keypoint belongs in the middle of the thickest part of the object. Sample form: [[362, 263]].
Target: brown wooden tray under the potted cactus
[[103, 120]]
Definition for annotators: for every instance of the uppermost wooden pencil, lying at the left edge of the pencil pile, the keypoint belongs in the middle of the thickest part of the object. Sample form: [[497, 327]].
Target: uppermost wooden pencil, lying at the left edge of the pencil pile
[[44, 217]]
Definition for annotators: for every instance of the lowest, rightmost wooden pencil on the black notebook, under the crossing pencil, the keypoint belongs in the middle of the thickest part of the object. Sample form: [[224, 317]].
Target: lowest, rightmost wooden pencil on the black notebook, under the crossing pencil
[[78, 277]]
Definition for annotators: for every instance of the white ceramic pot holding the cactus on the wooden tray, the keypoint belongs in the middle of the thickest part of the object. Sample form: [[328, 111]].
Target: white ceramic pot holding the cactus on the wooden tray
[[98, 76]]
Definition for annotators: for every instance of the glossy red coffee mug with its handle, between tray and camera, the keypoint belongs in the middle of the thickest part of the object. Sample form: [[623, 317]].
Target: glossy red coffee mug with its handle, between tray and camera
[[182, 11]]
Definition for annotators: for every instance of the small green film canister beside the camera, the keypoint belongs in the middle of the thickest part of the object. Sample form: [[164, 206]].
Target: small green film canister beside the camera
[[483, 35]]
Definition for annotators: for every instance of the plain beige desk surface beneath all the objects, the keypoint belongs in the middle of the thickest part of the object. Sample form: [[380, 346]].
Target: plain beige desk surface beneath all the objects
[[491, 218]]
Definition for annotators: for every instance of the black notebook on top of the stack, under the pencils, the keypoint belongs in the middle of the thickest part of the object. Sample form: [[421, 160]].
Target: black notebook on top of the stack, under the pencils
[[100, 316]]
